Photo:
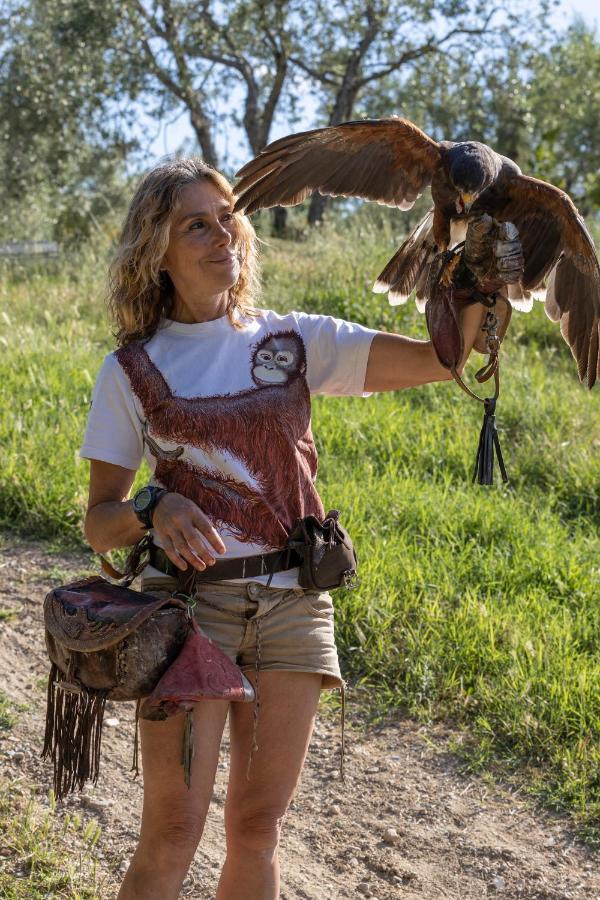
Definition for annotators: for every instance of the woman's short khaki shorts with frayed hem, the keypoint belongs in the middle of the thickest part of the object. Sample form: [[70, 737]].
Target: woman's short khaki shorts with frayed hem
[[283, 629]]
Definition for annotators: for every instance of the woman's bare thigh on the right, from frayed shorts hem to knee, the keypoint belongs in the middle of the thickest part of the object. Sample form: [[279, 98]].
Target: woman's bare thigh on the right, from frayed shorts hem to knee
[[288, 704]]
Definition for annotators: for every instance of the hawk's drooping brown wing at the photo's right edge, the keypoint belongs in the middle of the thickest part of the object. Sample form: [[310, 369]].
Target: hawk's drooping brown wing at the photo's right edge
[[556, 243]]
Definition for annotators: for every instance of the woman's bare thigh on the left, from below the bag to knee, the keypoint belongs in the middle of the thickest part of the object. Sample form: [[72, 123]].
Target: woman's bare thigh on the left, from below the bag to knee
[[169, 805]]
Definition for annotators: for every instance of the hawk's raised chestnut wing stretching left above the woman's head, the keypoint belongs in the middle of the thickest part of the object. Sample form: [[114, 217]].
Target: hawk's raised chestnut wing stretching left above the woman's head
[[387, 160]]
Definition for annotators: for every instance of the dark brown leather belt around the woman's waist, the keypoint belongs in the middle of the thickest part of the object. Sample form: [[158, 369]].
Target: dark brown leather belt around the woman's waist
[[239, 567]]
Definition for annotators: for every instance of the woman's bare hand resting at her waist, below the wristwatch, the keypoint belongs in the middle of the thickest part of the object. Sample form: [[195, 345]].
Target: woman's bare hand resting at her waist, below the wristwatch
[[185, 532]]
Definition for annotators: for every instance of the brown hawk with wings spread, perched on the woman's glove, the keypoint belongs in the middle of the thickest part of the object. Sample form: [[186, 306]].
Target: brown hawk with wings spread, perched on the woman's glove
[[392, 161]]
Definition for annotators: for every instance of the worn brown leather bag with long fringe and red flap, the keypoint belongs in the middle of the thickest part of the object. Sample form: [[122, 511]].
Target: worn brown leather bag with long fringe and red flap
[[107, 642]]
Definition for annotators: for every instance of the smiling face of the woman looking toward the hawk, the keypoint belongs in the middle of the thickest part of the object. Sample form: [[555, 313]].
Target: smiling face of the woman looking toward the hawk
[[202, 256]]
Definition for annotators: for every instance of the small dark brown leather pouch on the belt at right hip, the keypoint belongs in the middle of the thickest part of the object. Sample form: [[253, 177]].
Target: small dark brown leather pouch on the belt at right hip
[[328, 558]]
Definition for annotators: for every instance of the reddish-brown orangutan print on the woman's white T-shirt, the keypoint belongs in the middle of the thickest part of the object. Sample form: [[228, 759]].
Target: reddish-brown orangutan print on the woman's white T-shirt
[[266, 427]]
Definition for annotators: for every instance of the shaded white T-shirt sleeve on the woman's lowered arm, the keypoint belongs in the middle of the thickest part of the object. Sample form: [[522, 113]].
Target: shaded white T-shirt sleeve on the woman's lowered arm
[[114, 430]]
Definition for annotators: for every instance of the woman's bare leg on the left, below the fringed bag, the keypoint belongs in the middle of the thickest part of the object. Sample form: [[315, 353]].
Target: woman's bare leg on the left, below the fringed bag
[[173, 816]]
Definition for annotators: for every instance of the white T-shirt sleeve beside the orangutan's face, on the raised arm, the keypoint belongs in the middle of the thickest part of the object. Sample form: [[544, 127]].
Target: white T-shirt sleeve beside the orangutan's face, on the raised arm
[[337, 353]]
